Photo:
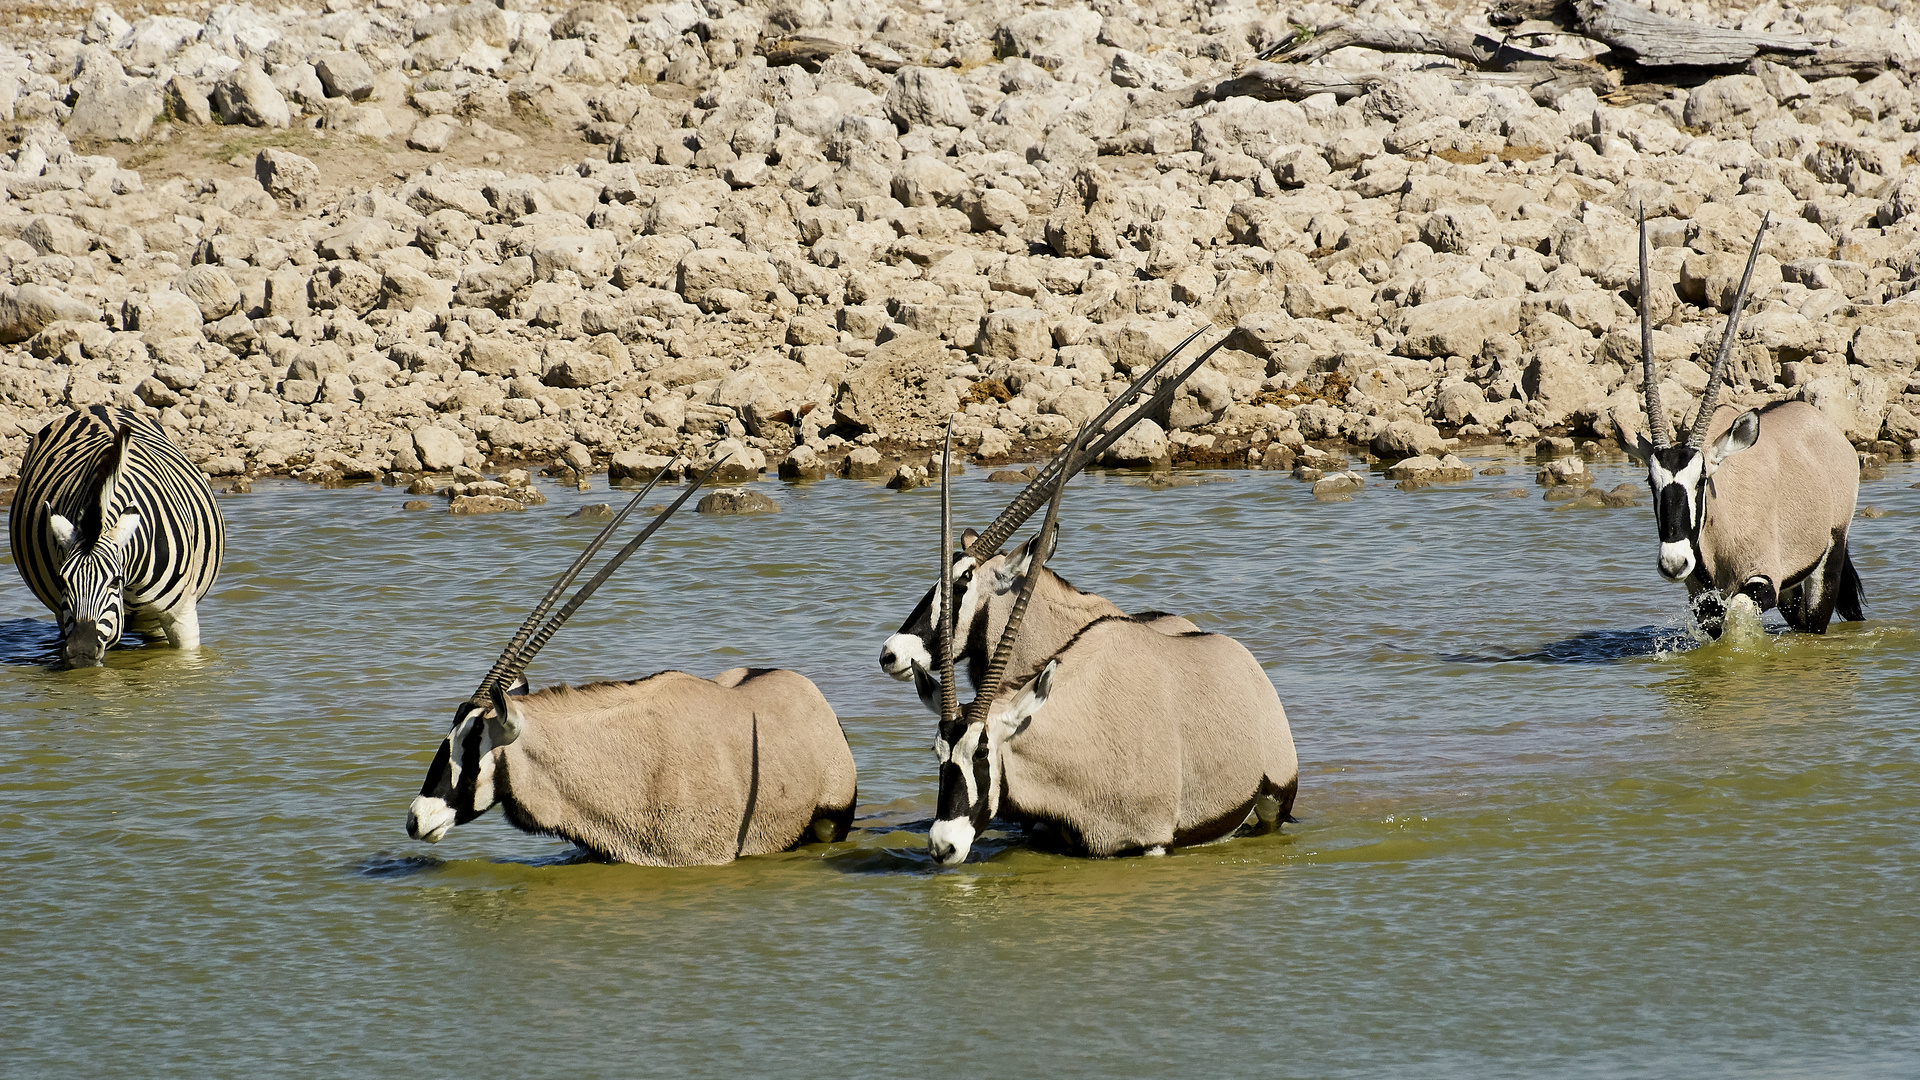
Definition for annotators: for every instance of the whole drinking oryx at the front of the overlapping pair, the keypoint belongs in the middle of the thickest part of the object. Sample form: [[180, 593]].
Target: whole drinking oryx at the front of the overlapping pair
[[1130, 739]]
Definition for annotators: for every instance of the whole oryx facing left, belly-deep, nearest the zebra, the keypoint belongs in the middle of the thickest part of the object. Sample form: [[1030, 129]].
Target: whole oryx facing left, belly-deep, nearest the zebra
[[667, 772]]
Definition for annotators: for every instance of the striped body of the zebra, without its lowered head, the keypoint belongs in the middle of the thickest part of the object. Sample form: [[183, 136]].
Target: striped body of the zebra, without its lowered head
[[170, 560]]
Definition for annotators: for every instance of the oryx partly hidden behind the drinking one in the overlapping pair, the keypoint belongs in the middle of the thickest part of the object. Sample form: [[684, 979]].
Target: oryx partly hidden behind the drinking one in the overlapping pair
[[984, 577]]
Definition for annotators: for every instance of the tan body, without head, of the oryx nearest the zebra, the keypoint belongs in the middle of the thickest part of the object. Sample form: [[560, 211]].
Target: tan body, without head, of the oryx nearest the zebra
[[677, 772]]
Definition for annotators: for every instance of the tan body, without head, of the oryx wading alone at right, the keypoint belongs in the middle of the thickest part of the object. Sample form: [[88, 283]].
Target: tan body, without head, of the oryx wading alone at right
[[1781, 508]]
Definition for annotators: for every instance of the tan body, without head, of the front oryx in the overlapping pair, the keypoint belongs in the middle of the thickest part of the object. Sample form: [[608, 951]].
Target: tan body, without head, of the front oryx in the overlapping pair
[[1145, 741]]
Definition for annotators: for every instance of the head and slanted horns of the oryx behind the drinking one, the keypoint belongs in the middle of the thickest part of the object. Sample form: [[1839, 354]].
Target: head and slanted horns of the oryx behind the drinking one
[[913, 645]]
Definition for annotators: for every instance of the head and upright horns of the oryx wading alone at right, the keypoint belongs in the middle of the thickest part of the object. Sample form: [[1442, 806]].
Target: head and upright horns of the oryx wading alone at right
[[1681, 476]]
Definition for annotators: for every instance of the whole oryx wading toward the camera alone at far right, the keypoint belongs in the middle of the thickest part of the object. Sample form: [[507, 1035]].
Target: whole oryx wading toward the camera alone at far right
[[1754, 503]]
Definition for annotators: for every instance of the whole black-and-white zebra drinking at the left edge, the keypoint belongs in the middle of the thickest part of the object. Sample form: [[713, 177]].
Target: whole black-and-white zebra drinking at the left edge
[[114, 529]]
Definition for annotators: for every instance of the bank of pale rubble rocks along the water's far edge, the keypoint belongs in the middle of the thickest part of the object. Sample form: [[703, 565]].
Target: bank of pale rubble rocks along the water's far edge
[[372, 241]]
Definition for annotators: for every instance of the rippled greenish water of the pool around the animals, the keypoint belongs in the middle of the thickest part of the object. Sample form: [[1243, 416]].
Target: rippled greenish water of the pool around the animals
[[1539, 829]]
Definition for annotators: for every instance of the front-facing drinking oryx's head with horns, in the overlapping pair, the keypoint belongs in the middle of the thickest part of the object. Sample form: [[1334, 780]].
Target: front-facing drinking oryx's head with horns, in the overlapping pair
[[967, 747]]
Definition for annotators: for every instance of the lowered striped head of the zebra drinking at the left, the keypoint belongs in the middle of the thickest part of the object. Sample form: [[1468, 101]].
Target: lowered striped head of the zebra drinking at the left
[[93, 568]]
